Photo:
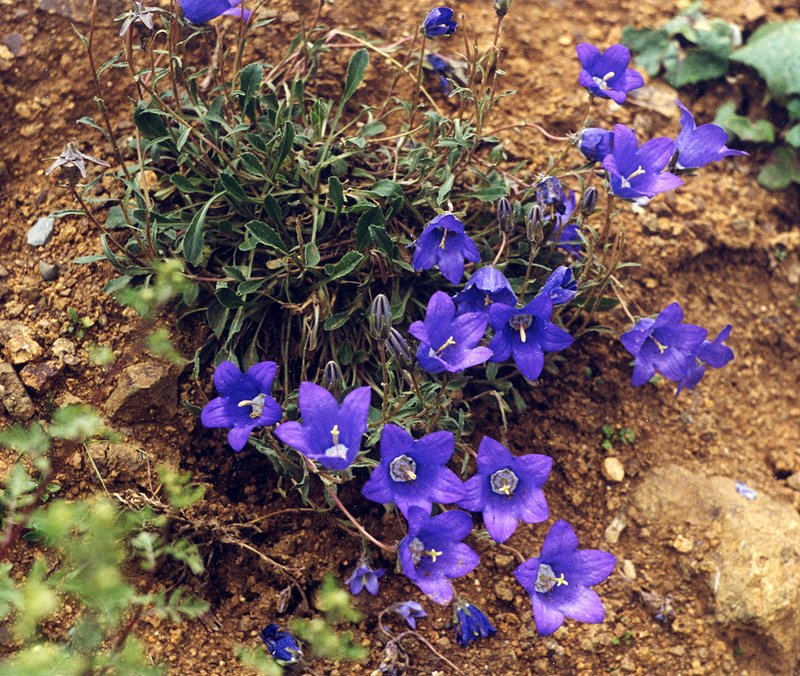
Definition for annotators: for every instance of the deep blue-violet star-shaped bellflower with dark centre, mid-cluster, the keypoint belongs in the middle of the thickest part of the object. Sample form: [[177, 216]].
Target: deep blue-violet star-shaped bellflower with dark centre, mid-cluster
[[526, 334]]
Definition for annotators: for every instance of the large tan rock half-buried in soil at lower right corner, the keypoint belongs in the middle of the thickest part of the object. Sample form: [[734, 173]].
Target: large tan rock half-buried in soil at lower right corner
[[752, 564]]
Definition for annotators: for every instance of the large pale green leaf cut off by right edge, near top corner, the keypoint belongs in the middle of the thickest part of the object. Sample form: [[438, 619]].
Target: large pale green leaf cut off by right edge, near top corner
[[774, 51]]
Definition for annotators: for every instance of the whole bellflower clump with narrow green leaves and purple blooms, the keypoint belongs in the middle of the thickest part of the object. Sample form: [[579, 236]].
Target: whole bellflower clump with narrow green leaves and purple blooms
[[356, 292]]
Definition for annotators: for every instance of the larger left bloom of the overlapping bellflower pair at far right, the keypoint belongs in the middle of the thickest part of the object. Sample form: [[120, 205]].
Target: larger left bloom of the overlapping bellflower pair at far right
[[662, 344]]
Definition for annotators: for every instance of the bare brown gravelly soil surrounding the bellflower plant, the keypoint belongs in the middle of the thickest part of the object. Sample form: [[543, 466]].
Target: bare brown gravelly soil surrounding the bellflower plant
[[712, 245]]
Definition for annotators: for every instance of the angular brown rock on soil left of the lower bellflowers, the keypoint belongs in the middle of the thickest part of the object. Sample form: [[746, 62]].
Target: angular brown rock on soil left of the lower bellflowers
[[145, 392]]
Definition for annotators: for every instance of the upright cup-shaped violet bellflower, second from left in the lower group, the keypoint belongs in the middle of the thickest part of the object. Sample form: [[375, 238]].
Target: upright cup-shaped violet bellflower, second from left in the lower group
[[330, 433]]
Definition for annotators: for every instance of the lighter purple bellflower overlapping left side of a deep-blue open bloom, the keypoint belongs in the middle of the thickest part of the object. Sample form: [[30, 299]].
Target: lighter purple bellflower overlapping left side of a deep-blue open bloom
[[447, 342]]
